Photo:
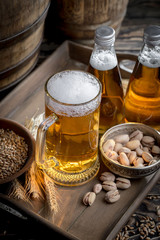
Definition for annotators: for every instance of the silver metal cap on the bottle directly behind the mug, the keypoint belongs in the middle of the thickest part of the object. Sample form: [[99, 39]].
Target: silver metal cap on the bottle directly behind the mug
[[104, 36]]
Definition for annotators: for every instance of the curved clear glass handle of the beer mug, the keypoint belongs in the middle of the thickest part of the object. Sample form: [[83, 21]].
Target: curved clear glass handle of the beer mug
[[40, 139]]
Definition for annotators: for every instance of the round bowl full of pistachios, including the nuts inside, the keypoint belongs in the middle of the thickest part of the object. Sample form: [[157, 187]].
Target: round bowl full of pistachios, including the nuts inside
[[131, 150]]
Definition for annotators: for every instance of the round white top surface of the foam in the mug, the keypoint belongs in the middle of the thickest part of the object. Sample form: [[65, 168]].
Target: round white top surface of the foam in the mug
[[73, 87]]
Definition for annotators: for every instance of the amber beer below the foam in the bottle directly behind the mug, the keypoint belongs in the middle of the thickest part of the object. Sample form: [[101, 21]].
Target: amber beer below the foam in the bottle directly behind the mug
[[111, 110]]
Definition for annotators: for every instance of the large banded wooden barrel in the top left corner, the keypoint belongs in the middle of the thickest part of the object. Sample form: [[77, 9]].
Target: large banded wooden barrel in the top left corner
[[21, 32]]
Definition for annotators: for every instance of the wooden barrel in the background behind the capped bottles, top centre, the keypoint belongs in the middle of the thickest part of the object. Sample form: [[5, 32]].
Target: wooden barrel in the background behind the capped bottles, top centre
[[78, 19]]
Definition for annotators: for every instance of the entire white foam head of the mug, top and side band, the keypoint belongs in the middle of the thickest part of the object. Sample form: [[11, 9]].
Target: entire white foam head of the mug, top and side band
[[75, 88]]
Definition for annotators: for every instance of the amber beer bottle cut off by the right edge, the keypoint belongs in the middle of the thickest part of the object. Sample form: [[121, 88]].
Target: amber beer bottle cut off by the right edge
[[142, 100]]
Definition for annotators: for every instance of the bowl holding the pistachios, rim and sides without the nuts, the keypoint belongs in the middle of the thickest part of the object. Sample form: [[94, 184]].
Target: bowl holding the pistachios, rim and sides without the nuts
[[129, 171]]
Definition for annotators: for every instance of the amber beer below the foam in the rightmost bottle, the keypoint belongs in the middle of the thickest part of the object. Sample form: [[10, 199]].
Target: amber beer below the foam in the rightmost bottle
[[142, 101]]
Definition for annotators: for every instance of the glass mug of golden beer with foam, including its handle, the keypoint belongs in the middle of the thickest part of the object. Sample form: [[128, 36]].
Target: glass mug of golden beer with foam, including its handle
[[67, 140]]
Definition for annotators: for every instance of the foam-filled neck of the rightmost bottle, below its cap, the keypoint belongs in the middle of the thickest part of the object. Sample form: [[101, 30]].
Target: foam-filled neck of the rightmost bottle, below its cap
[[149, 56]]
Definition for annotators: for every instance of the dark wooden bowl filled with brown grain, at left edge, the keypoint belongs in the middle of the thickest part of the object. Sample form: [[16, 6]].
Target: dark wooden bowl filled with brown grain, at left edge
[[17, 150]]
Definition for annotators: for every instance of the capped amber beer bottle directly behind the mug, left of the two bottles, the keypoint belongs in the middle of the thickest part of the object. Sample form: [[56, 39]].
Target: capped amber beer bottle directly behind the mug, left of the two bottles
[[104, 65]]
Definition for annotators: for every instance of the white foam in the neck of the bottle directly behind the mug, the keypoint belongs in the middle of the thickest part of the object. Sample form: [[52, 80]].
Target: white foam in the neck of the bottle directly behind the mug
[[103, 60]]
